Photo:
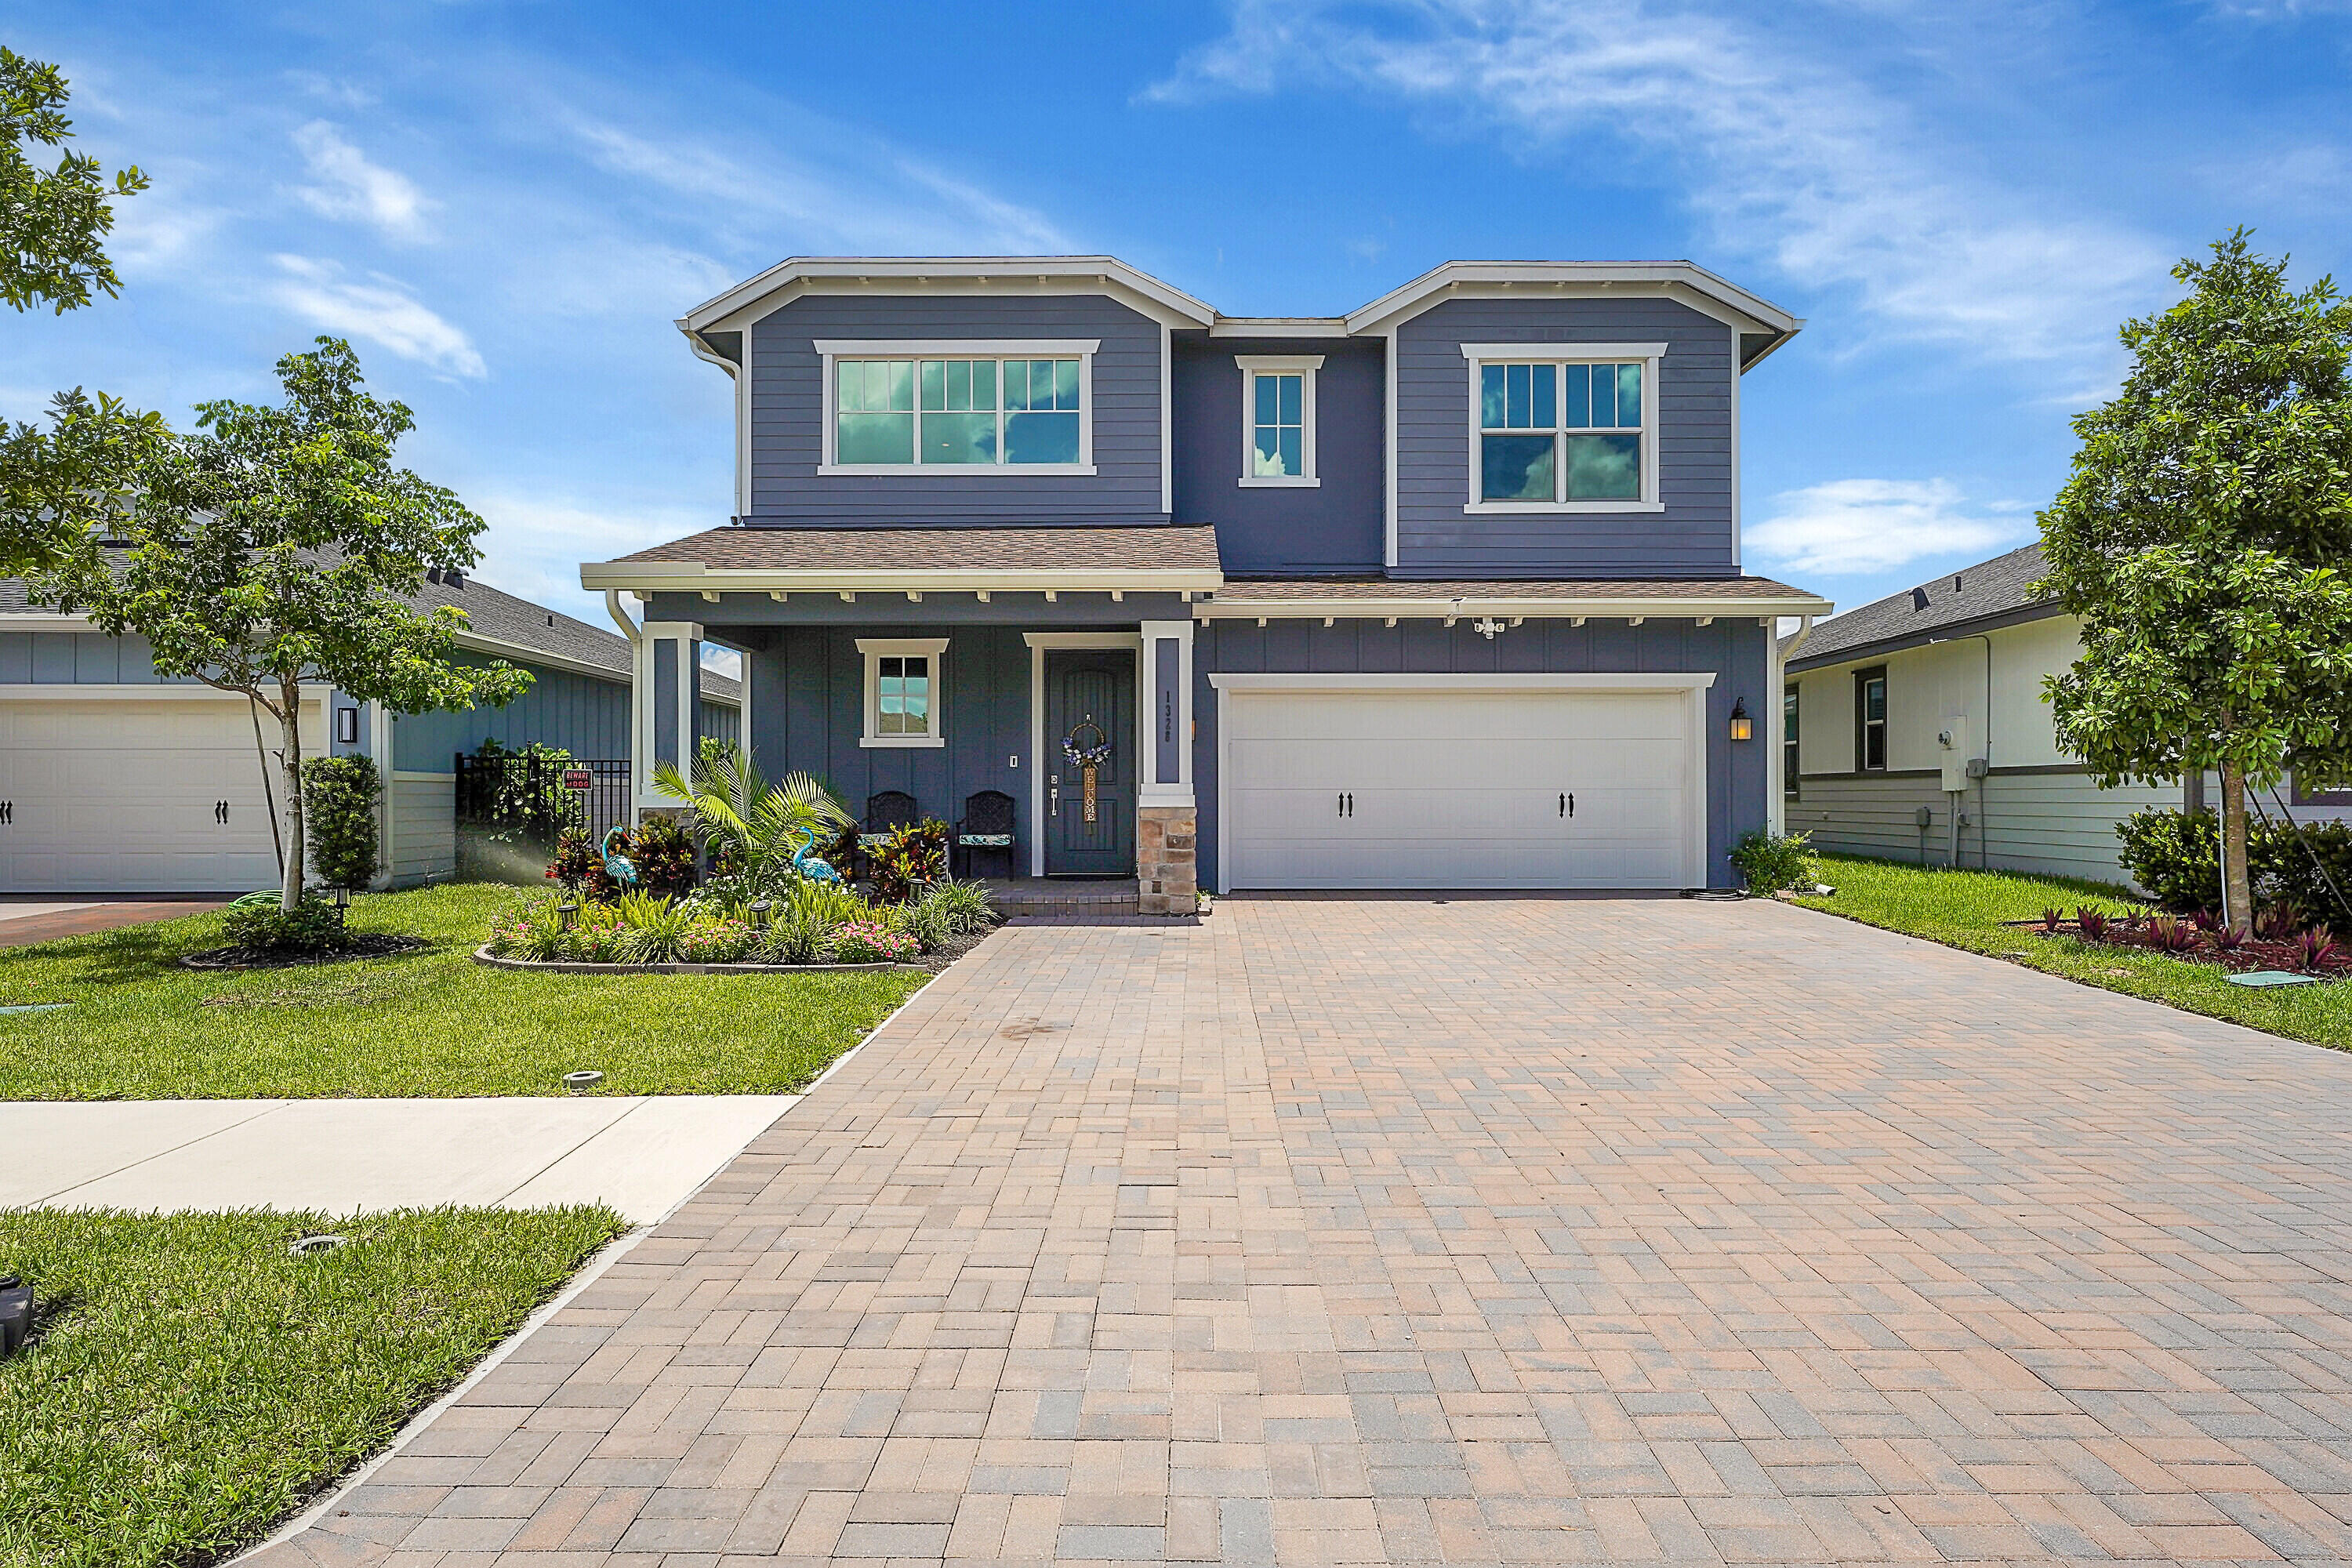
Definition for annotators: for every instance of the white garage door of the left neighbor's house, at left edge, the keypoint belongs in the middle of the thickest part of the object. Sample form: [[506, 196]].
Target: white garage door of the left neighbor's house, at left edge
[[128, 796]]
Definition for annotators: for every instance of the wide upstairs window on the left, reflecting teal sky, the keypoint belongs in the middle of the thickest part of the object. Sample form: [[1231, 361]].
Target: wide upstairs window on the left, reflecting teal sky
[[958, 408]]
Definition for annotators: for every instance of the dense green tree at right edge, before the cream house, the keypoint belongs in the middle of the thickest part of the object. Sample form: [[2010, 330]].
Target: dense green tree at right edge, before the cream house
[[2200, 542]]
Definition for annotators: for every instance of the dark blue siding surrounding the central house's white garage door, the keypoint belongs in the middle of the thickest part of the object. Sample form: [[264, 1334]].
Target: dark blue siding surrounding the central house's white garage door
[[1732, 648]]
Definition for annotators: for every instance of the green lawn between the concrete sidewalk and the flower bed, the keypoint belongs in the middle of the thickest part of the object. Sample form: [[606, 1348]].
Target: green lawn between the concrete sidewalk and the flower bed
[[429, 1024]]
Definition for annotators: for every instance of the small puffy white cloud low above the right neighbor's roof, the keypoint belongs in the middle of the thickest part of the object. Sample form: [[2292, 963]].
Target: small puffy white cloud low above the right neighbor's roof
[[1857, 528]]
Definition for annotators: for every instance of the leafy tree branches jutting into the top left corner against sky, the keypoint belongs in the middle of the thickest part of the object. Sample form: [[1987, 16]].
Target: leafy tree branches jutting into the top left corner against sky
[[53, 222]]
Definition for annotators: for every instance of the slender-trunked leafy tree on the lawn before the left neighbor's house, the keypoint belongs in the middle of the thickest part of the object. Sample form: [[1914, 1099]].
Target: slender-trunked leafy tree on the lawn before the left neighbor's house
[[279, 547]]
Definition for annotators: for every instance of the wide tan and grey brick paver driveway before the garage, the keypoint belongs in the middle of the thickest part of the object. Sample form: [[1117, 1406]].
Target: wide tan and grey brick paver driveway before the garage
[[1476, 1231]]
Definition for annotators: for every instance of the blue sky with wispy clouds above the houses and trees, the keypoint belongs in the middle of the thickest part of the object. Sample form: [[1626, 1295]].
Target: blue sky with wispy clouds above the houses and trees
[[507, 206]]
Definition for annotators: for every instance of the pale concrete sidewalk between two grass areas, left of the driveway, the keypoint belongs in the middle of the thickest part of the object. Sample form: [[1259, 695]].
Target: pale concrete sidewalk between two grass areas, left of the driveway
[[641, 1155]]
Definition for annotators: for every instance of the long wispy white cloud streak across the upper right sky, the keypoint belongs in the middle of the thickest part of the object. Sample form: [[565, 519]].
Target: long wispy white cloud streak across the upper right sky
[[1789, 159]]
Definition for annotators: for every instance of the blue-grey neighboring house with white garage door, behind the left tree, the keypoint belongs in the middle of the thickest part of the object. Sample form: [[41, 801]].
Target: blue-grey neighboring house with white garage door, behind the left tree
[[121, 782]]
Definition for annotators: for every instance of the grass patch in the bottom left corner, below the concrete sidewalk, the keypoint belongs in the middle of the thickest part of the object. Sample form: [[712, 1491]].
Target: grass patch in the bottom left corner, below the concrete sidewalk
[[194, 1386]]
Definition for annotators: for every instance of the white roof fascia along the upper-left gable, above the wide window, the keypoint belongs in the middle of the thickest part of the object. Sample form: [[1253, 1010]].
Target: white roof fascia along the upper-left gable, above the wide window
[[796, 276]]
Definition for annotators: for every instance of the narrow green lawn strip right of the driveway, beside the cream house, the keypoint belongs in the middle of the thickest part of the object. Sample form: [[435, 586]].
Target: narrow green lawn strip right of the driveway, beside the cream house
[[1967, 911]]
